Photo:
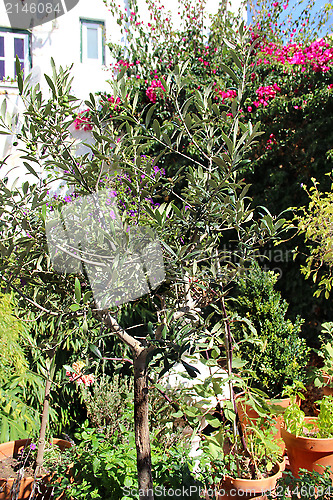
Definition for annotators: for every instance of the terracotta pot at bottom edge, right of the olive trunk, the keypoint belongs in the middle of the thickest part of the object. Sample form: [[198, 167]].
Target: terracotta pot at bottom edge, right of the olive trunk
[[247, 488]]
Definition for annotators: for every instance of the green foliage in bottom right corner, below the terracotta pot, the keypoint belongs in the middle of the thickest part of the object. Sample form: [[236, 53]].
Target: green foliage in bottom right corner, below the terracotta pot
[[309, 485]]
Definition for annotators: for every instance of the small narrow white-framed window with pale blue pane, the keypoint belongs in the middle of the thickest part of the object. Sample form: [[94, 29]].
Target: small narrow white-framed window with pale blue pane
[[92, 41]]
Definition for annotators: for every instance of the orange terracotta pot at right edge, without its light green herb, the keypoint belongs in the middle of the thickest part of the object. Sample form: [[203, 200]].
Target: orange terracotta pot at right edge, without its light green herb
[[308, 453]]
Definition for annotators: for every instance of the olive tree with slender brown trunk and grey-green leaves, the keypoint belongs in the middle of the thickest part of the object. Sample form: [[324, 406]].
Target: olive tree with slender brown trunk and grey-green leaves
[[204, 221]]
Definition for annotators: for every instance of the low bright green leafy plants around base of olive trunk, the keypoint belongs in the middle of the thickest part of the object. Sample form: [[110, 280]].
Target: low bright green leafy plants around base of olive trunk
[[105, 468]]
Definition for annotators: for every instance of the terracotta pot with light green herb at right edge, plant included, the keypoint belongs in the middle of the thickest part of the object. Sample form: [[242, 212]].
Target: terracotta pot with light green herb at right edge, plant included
[[309, 440]]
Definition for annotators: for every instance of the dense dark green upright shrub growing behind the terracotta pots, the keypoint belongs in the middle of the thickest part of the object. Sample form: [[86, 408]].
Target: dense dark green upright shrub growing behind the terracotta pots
[[281, 355]]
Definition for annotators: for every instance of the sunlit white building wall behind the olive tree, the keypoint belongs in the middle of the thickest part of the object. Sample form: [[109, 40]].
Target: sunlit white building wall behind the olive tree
[[61, 39]]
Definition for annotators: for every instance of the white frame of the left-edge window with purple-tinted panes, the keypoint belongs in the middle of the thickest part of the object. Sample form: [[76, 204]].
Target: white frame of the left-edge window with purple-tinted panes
[[10, 57]]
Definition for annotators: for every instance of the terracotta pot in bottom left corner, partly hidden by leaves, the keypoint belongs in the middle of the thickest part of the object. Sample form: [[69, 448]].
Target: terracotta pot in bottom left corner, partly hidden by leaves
[[14, 447]]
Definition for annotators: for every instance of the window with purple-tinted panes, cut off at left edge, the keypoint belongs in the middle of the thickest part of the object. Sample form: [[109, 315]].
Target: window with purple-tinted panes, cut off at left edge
[[13, 43]]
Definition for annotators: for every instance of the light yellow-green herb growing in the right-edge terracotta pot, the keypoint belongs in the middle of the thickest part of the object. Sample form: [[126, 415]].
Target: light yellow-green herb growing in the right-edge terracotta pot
[[294, 419]]
